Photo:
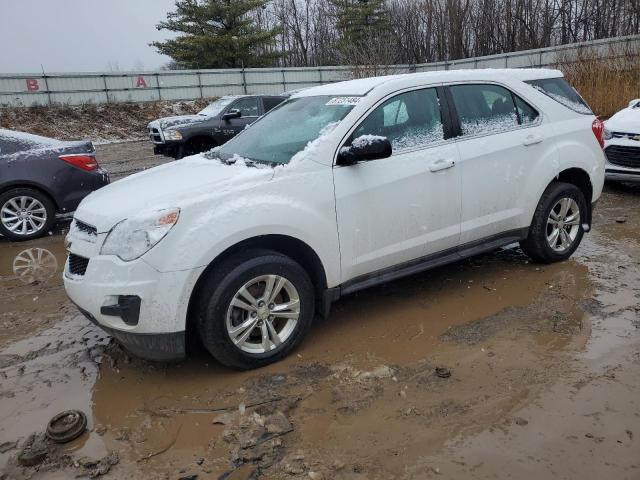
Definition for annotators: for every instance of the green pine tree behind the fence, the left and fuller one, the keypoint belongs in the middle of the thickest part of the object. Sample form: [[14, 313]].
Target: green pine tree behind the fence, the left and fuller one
[[217, 34]]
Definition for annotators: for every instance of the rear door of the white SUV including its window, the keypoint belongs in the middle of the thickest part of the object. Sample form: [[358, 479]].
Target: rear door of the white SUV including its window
[[500, 140]]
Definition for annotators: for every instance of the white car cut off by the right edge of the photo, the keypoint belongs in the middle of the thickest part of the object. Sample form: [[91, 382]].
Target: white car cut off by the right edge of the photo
[[622, 144]]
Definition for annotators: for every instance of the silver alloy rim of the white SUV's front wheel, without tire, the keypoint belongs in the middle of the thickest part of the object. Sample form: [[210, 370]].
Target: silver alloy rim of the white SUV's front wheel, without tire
[[263, 314]]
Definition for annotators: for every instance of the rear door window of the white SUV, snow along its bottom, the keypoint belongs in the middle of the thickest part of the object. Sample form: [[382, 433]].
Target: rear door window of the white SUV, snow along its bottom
[[484, 109]]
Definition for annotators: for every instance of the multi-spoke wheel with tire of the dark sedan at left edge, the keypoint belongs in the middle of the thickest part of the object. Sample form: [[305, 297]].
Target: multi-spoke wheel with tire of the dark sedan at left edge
[[25, 213]]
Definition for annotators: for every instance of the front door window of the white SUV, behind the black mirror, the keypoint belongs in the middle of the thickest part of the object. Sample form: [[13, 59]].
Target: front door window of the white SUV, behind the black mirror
[[409, 120]]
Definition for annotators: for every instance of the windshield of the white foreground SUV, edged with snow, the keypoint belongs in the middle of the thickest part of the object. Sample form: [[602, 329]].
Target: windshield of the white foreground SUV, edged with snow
[[287, 129]]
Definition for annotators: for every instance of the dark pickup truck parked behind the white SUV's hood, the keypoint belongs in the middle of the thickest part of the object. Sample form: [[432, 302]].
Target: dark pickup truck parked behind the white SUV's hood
[[220, 121]]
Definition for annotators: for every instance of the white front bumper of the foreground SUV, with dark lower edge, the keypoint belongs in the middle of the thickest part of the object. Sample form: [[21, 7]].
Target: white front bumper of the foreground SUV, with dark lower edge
[[158, 331]]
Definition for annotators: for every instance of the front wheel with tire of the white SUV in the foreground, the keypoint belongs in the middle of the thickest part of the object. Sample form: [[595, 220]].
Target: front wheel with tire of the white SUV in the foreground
[[255, 308]]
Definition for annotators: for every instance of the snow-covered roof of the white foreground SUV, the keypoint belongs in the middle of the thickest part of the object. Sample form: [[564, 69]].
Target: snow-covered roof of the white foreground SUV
[[364, 85]]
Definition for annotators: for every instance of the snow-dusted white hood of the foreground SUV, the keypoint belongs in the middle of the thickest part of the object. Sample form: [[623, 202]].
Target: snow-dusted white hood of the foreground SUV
[[175, 184]]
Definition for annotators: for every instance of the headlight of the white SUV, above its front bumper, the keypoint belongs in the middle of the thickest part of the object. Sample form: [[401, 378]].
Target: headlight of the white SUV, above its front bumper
[[135, 236]]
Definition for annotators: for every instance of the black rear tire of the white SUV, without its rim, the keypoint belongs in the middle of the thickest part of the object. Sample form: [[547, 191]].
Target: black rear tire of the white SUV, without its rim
[[536, 245]]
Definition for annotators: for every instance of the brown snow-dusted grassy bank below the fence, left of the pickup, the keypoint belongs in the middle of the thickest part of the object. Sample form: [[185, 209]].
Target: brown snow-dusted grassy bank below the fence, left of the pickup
[[94, 122]]
